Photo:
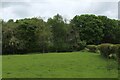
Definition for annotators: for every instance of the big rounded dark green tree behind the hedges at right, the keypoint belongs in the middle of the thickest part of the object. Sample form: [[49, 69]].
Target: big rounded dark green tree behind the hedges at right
[[89, 28]]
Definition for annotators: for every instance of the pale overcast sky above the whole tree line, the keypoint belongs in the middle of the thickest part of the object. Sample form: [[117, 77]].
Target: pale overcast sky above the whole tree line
[[48, 8]]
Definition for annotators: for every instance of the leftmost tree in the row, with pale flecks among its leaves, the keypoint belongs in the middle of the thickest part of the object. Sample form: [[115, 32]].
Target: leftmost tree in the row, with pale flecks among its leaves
[[9, 41]]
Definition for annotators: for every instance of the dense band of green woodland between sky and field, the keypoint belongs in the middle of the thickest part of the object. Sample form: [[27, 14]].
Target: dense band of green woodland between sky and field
[[57, 34]]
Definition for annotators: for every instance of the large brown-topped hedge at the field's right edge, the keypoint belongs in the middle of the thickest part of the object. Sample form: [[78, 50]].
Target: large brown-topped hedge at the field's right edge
[[110, 50]]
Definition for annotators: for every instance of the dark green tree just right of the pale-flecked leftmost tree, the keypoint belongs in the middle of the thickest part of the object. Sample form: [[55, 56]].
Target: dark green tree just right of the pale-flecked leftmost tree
[[26, 33]]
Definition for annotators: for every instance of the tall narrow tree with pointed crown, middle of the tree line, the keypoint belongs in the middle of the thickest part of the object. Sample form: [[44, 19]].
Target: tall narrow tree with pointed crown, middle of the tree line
[[59, 32]]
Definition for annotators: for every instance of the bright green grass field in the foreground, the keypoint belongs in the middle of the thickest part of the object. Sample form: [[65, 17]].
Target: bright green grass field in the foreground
[[58, 65]]
